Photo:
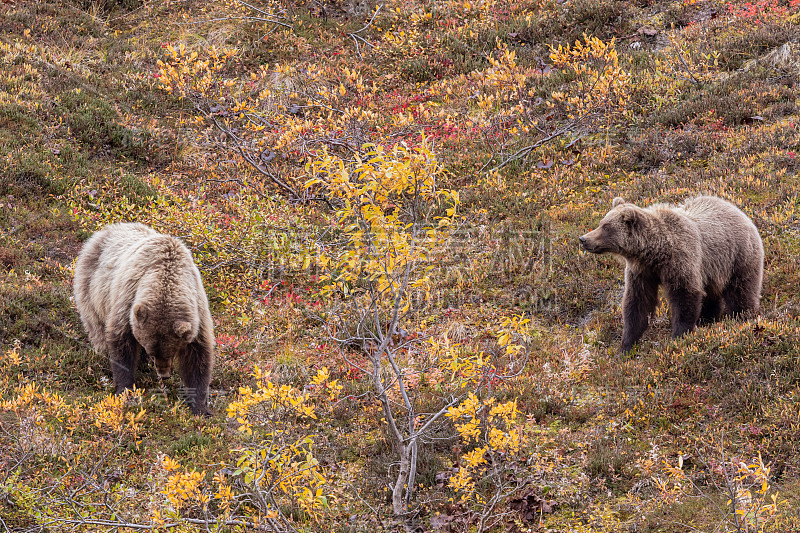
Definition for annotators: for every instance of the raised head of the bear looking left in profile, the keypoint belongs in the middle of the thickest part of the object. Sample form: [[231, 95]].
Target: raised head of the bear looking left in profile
[[618, 232]]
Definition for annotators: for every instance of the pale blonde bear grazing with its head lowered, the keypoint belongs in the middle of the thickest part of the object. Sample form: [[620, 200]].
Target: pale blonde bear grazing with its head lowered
[[138, 289]]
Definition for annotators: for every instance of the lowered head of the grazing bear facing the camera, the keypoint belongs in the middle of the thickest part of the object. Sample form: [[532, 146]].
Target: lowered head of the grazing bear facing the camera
[[162, 335]]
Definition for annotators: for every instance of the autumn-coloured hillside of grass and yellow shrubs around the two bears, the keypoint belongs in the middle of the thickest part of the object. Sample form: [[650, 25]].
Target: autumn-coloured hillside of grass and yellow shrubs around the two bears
[[274, 139]]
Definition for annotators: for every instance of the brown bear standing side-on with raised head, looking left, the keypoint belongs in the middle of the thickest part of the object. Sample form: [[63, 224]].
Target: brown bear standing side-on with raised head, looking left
[[704, 252]]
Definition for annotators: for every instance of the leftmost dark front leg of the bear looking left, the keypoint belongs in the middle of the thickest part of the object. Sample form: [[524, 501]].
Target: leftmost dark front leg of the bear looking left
[[639, 302]]
